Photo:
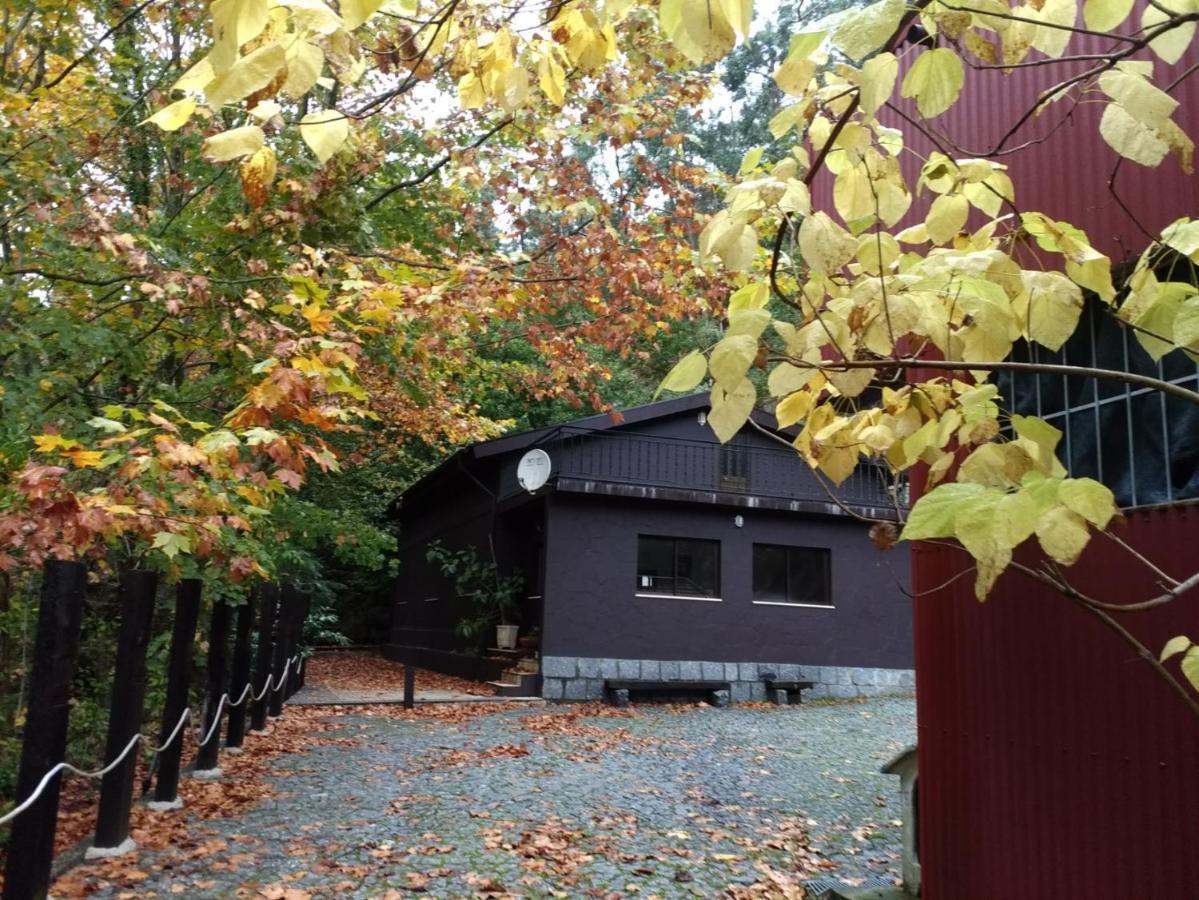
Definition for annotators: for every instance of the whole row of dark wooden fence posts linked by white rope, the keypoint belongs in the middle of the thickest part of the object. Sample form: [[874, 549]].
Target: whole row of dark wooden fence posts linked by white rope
[[278, 667]]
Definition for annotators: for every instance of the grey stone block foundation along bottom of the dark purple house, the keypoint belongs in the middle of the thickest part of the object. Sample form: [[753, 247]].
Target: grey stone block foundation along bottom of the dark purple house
[[582, 678]]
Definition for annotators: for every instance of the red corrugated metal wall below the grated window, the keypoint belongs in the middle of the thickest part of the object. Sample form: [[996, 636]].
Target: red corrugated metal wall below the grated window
[[1053, 763]]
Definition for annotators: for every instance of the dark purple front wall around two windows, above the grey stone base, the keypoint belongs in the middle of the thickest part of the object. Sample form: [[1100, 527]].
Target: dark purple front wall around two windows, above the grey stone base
[[593, 612]]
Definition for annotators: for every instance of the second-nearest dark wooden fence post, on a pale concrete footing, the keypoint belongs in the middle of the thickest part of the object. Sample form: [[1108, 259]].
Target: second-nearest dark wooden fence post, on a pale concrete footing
[[138, 589]]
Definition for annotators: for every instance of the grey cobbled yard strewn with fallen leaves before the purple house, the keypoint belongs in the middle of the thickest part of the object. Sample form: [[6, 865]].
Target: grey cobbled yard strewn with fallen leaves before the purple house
[[563, 802]]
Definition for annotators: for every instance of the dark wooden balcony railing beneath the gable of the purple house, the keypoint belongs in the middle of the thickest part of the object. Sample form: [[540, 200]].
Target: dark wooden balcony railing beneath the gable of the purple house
[[702, 467]]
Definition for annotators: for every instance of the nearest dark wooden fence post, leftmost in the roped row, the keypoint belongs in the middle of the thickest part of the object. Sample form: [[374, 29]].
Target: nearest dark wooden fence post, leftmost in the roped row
[[45, 742]]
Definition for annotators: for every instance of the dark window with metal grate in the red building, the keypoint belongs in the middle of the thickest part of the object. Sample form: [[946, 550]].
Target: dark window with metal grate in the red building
[[1138, 442]]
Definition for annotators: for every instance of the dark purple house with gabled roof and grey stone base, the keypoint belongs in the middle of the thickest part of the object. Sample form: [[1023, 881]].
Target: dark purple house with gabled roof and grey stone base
[[653, 552]]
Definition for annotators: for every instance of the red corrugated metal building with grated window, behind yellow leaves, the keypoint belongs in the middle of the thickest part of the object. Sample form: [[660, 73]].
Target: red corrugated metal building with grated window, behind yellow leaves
[[1053, 763]]
